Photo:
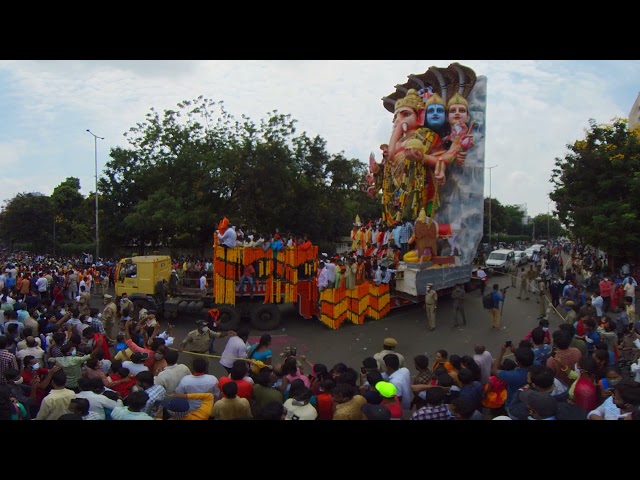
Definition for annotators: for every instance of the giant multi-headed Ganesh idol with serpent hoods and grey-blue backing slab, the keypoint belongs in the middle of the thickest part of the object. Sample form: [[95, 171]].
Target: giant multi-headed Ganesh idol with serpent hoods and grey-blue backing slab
[[435, 157]]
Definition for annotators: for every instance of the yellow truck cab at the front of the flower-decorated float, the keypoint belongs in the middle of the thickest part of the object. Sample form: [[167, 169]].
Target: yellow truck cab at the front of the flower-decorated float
[[142, 278]]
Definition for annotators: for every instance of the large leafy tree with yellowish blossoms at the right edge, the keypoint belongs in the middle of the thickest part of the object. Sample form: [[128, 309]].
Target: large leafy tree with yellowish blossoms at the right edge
[[597, 188]]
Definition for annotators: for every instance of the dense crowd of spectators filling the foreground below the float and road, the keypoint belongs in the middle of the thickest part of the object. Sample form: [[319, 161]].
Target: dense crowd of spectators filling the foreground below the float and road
[[62, 359]]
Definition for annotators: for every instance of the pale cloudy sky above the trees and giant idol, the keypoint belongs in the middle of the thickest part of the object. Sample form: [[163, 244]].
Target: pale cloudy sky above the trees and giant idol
[[534, 109]]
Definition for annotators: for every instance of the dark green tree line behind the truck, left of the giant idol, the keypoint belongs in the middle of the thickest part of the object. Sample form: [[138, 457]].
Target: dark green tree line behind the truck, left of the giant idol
[[185, 168]]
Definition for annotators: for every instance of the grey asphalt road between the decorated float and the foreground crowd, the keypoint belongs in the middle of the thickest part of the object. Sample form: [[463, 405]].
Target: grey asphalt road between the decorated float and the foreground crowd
[[352, 343]]
